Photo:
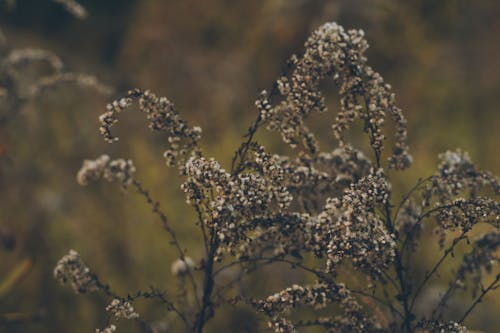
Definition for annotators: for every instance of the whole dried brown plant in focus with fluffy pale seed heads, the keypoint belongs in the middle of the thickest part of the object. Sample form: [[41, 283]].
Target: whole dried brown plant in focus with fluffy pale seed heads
[[331, 215]]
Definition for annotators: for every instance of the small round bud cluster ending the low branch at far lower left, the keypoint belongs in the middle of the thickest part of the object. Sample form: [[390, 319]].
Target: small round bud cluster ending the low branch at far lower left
[[72, 268]]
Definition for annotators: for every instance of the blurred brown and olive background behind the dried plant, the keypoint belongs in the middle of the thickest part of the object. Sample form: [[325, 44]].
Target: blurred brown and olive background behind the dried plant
[[211, 58]]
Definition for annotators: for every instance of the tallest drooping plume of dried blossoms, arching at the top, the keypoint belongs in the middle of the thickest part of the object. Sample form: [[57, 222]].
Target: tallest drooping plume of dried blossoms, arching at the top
[[334, 53]]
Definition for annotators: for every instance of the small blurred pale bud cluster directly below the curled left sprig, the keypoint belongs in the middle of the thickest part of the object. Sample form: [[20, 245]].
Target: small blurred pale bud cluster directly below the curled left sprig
[[103, 167]]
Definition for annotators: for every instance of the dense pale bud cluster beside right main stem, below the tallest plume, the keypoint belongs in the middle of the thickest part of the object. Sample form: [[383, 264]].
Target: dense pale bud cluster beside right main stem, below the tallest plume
[[359, 233]]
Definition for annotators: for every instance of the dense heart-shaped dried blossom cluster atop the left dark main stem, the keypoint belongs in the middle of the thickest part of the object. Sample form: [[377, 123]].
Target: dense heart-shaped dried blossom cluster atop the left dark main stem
[[230, 203]]
